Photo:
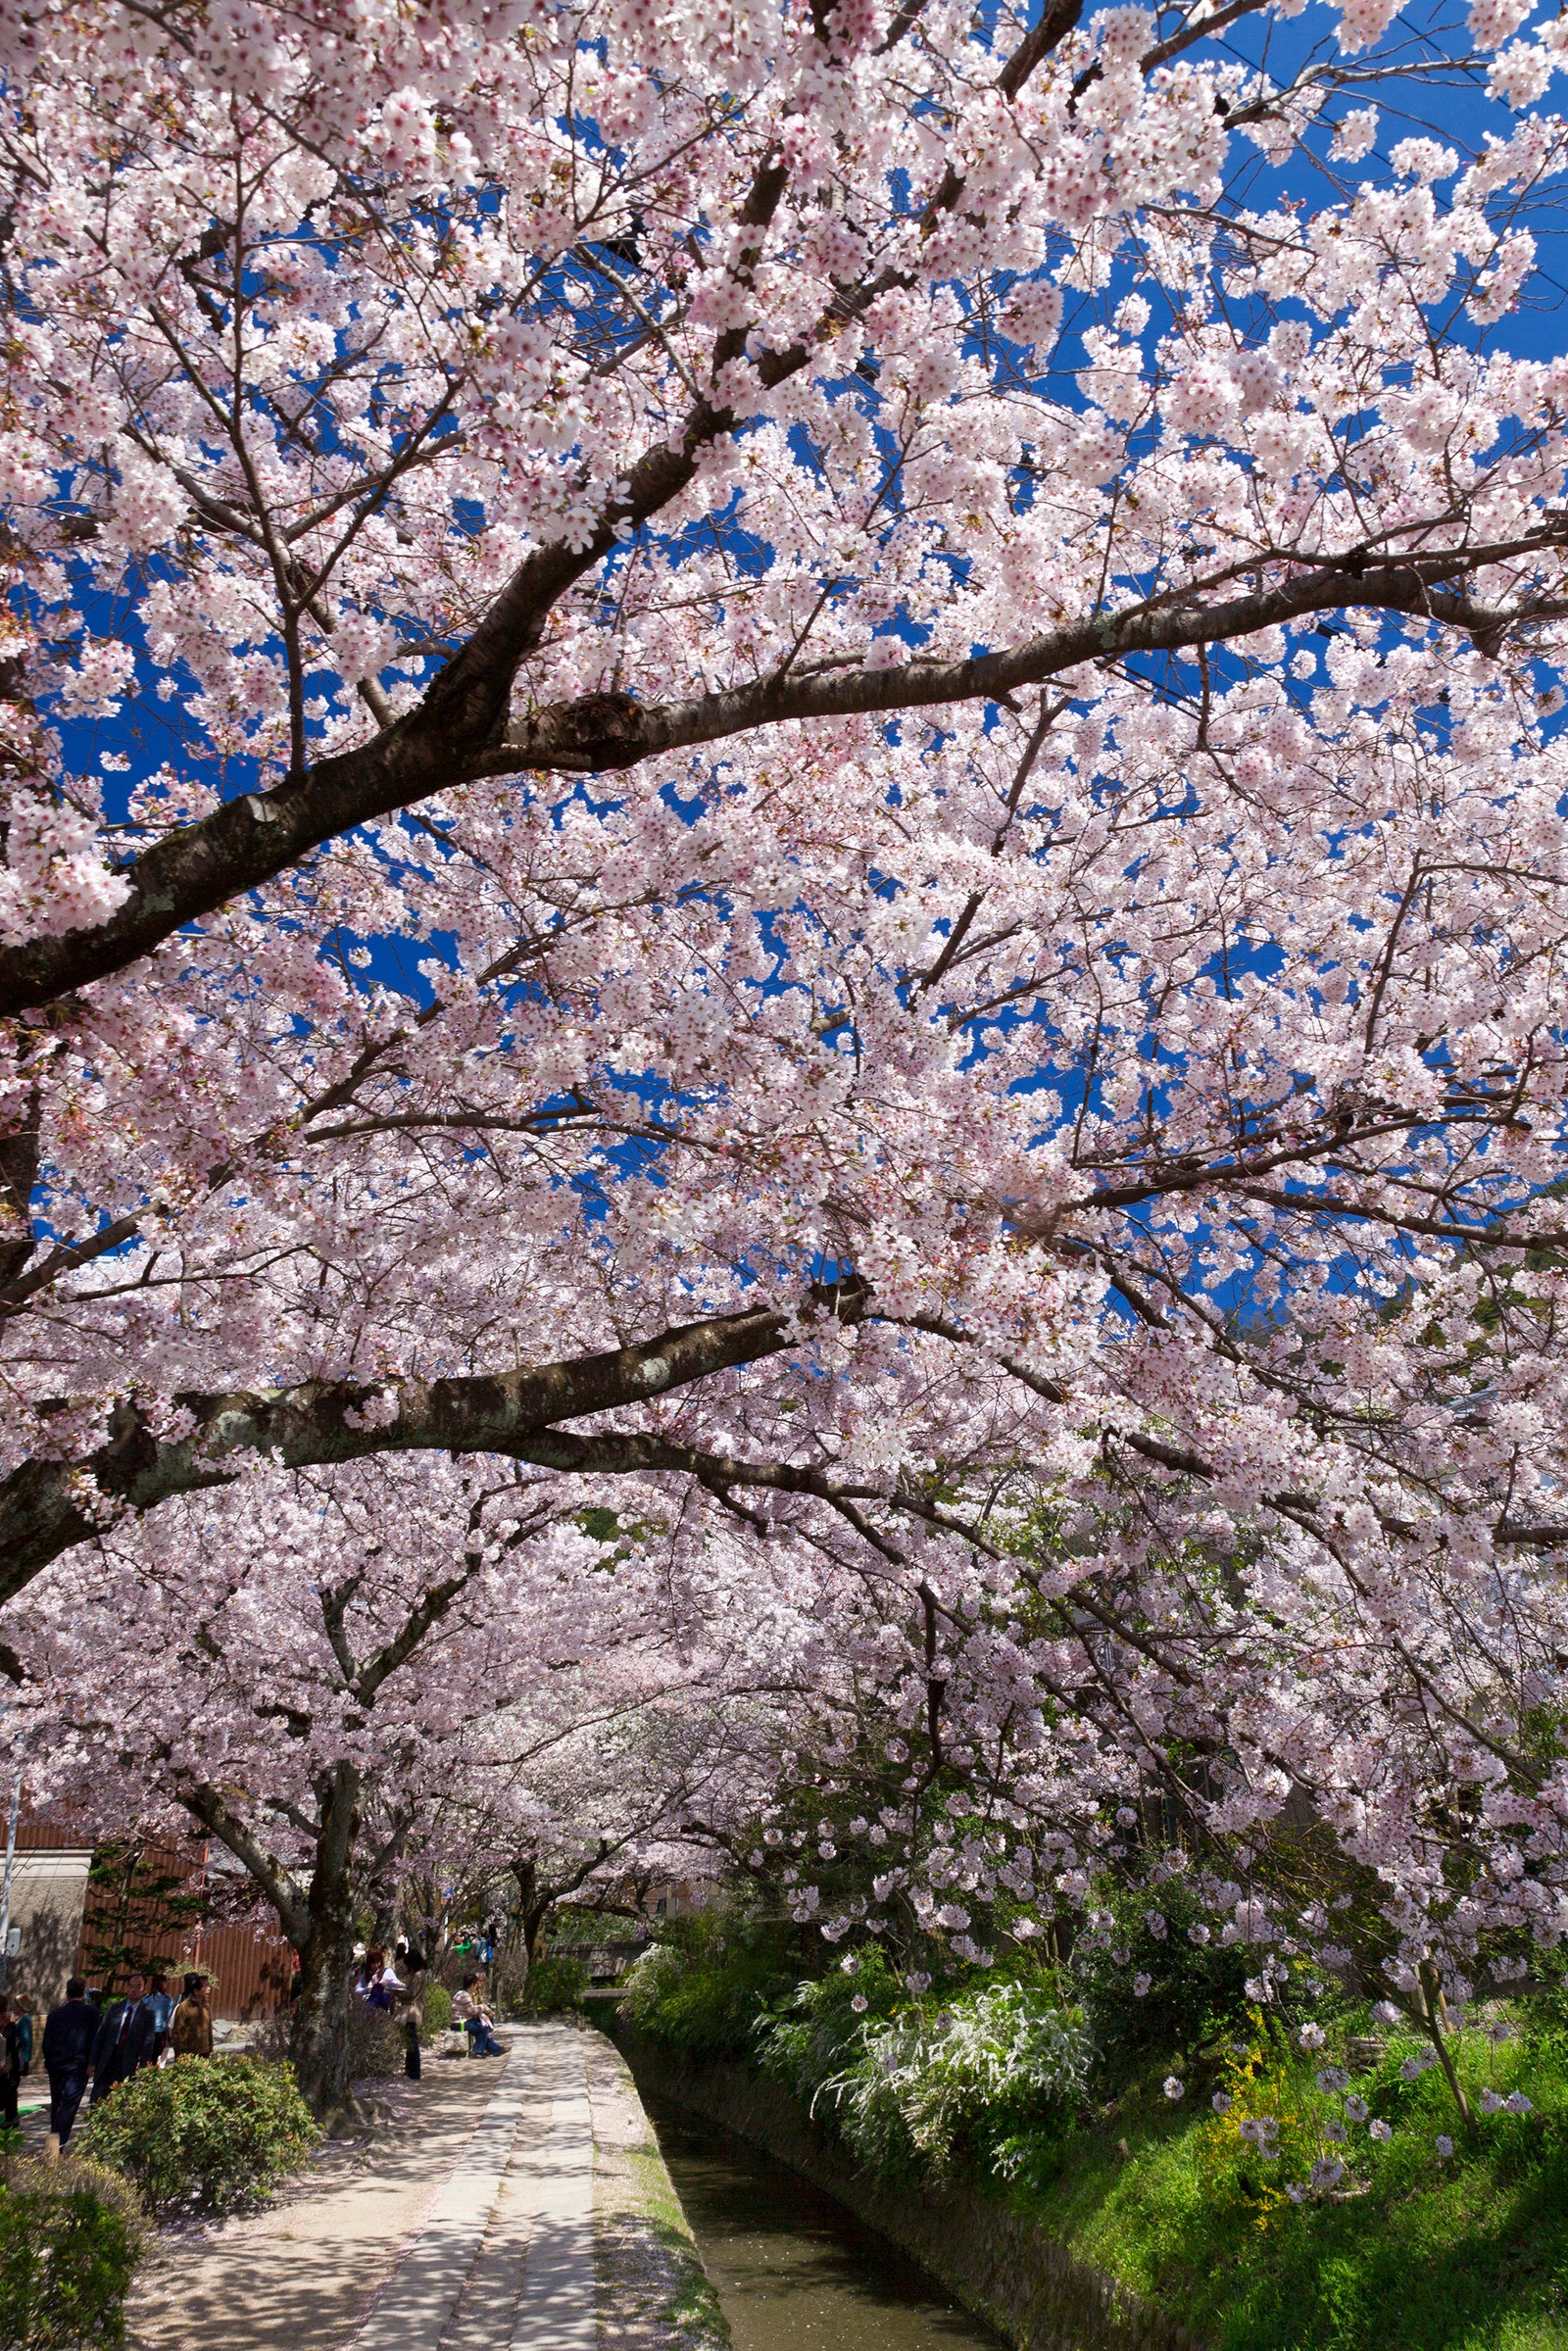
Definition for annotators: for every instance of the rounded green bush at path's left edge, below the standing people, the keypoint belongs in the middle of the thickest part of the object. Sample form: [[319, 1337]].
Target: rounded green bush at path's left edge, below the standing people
[[208, 2131]]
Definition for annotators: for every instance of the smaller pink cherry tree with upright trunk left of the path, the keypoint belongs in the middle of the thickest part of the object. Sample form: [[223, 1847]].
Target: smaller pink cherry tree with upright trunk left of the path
[[366, 1677]]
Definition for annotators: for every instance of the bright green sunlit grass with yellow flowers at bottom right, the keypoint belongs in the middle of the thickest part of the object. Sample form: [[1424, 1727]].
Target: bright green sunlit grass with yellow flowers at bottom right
[[1419, 2256]]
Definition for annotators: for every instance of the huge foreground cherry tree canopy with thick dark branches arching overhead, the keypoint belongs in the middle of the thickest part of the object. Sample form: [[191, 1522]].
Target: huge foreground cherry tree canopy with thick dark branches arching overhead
[[810, 763]]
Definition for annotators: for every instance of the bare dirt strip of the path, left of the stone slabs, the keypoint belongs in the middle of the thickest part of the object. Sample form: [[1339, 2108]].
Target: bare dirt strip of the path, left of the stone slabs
[[302, 2275]]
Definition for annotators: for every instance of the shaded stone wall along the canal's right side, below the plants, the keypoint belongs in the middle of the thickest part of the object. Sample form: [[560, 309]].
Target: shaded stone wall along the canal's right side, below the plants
[[996, 2260]]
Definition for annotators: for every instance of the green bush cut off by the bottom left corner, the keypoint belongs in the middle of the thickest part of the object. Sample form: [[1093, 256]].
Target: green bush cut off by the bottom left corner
[[72, 2235]]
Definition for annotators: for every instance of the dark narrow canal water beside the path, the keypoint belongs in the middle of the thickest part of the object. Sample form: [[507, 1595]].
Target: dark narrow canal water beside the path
[[796, 2270]]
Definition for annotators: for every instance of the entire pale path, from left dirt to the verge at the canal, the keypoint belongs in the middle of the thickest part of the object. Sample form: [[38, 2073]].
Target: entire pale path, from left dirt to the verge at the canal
[[500, 2209]]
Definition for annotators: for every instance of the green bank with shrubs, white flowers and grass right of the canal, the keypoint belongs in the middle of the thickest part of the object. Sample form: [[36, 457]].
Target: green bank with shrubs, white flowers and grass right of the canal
[[1285, 2199]]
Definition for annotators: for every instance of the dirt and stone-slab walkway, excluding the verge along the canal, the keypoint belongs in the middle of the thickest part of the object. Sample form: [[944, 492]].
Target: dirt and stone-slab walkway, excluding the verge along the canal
[[471, 2230]]
